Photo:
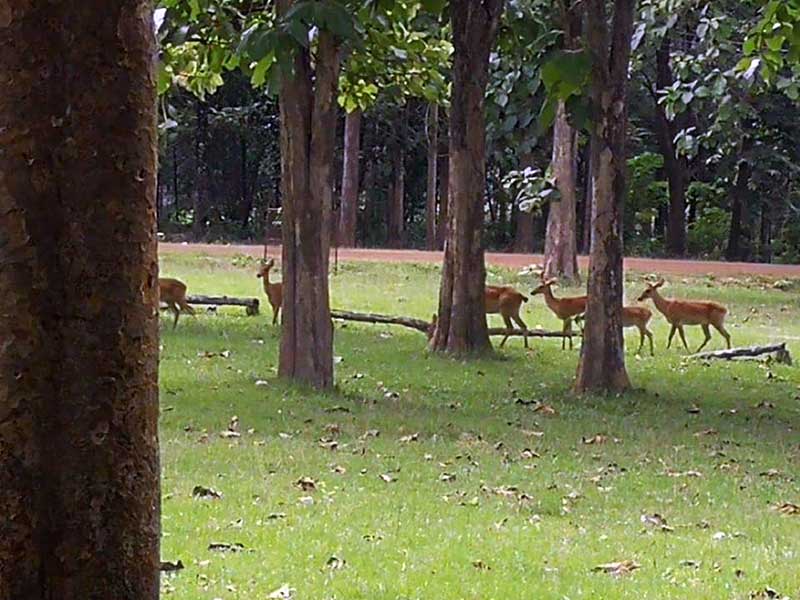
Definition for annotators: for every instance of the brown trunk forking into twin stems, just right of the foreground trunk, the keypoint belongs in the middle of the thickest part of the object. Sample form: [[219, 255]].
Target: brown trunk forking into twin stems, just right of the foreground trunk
[[307, 105]]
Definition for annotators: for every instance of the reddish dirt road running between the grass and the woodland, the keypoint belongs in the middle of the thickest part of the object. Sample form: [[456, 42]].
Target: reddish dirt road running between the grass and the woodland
[[515, 261]]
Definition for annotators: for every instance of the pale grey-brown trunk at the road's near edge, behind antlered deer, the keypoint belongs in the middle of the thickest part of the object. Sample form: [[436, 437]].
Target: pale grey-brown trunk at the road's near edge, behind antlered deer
[[561, 242]]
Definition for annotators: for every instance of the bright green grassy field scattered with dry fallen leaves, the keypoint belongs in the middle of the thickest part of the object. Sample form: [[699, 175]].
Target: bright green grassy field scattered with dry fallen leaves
[[428, 478]]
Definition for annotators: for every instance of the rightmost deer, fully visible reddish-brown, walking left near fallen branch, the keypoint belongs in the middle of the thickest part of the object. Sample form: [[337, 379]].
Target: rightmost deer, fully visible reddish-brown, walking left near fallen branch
[[688, 312]]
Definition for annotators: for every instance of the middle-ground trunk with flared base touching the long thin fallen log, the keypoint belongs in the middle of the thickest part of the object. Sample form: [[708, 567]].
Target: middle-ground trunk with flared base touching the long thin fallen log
[[461, 325]]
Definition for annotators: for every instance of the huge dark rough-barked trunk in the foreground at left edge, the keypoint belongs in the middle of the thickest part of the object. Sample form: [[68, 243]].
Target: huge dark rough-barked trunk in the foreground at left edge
[[79, 464]]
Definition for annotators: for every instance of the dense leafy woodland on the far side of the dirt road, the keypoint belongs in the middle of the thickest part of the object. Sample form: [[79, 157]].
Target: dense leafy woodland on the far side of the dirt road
[[712, 157]]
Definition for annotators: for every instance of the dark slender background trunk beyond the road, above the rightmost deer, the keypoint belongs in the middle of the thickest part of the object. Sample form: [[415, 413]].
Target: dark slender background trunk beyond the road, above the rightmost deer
[[675, 166]]
